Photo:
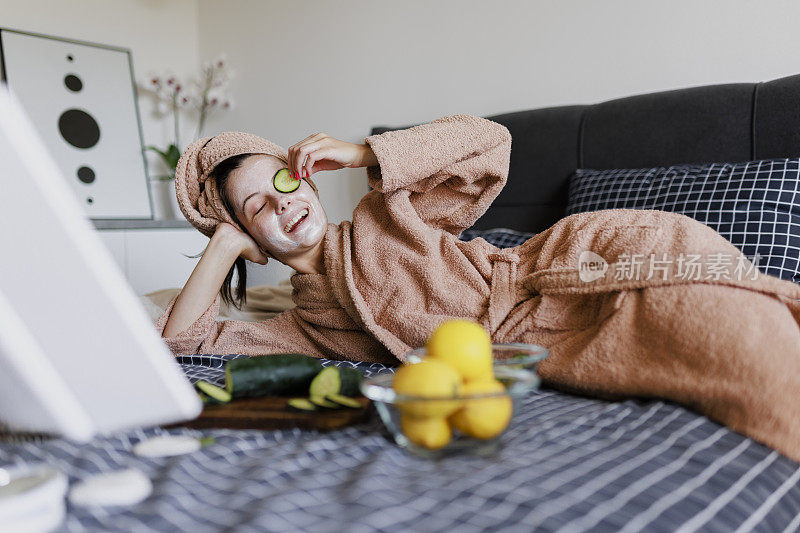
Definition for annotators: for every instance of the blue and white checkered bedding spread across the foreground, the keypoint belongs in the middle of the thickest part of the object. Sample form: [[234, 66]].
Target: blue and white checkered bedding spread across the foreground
[[567, 463]]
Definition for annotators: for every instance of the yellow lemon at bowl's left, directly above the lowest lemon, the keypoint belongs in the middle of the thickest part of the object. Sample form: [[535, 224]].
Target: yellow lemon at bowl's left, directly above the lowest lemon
[[428, 379]]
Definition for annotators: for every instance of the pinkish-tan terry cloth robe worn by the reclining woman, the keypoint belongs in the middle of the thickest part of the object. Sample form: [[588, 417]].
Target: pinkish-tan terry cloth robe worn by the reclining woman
[[728, 348]]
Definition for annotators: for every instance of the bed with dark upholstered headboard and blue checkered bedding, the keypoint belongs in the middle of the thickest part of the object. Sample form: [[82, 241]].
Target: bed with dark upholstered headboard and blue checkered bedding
[[569, 463]]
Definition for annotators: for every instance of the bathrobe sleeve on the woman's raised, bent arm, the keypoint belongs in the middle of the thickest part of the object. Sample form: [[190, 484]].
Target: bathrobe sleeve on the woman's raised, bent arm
[[446, 172]]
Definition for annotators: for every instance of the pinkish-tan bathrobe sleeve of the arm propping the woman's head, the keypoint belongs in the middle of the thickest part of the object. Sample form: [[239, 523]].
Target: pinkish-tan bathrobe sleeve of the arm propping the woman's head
[[287, 332]]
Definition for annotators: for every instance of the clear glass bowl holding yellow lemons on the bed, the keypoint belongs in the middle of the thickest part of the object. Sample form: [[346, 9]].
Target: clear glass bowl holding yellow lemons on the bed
[[514, 366]]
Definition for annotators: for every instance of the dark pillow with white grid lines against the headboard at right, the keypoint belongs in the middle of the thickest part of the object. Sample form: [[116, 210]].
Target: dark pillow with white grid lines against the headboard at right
[[755, 205]]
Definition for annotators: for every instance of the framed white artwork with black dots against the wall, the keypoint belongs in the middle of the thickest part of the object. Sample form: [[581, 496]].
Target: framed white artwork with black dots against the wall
[[81, 98]]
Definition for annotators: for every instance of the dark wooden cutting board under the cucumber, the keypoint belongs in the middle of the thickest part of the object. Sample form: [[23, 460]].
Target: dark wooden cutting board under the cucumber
[[271, 412]]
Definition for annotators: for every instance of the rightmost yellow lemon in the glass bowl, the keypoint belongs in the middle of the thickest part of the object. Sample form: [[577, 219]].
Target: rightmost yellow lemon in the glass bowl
[[483, 418]]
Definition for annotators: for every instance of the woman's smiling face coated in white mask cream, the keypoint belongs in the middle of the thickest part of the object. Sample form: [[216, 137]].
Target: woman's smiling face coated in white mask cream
[[265, 212]]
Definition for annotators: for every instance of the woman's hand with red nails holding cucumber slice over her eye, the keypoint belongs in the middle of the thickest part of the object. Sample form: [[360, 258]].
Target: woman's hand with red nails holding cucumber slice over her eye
[[322, 152]]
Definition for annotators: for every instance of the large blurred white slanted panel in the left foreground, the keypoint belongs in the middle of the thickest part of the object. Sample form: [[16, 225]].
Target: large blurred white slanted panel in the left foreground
[[78, 354]]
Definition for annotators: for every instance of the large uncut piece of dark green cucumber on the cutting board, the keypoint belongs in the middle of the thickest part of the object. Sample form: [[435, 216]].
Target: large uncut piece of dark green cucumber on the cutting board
[[271, 375]]
